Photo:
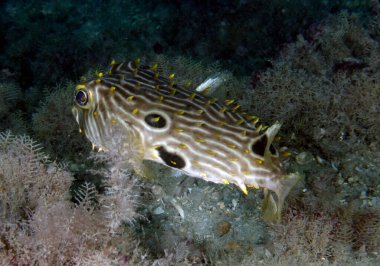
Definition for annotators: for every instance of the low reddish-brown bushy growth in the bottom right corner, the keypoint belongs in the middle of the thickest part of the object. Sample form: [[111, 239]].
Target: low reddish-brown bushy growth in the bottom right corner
[[319, 238]]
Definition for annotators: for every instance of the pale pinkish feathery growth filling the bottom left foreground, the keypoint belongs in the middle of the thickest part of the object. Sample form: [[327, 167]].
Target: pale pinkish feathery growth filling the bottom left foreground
[[39, 225]]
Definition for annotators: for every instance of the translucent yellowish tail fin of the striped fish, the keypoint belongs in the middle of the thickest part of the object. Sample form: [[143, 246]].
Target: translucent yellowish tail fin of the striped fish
[[270, 207]]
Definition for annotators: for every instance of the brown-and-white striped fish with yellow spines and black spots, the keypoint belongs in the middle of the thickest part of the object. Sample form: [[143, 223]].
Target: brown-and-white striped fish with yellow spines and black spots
[[184, 128]]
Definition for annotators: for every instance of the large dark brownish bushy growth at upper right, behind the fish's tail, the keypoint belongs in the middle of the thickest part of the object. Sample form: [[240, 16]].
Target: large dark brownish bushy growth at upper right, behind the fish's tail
[[325, 90]]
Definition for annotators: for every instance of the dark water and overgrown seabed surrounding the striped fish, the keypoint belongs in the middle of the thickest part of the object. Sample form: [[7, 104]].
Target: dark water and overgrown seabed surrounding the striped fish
[[312, 65]]
